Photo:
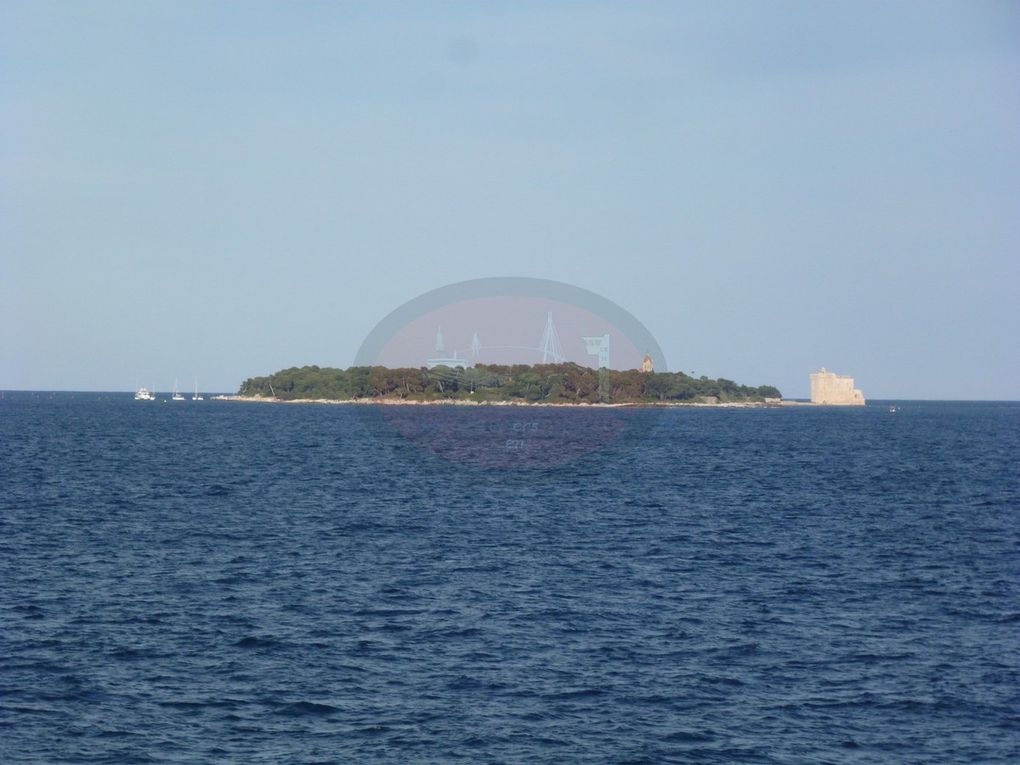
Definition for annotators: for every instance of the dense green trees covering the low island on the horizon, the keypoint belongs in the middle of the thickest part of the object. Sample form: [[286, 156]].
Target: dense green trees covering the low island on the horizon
[[542, 383]]
